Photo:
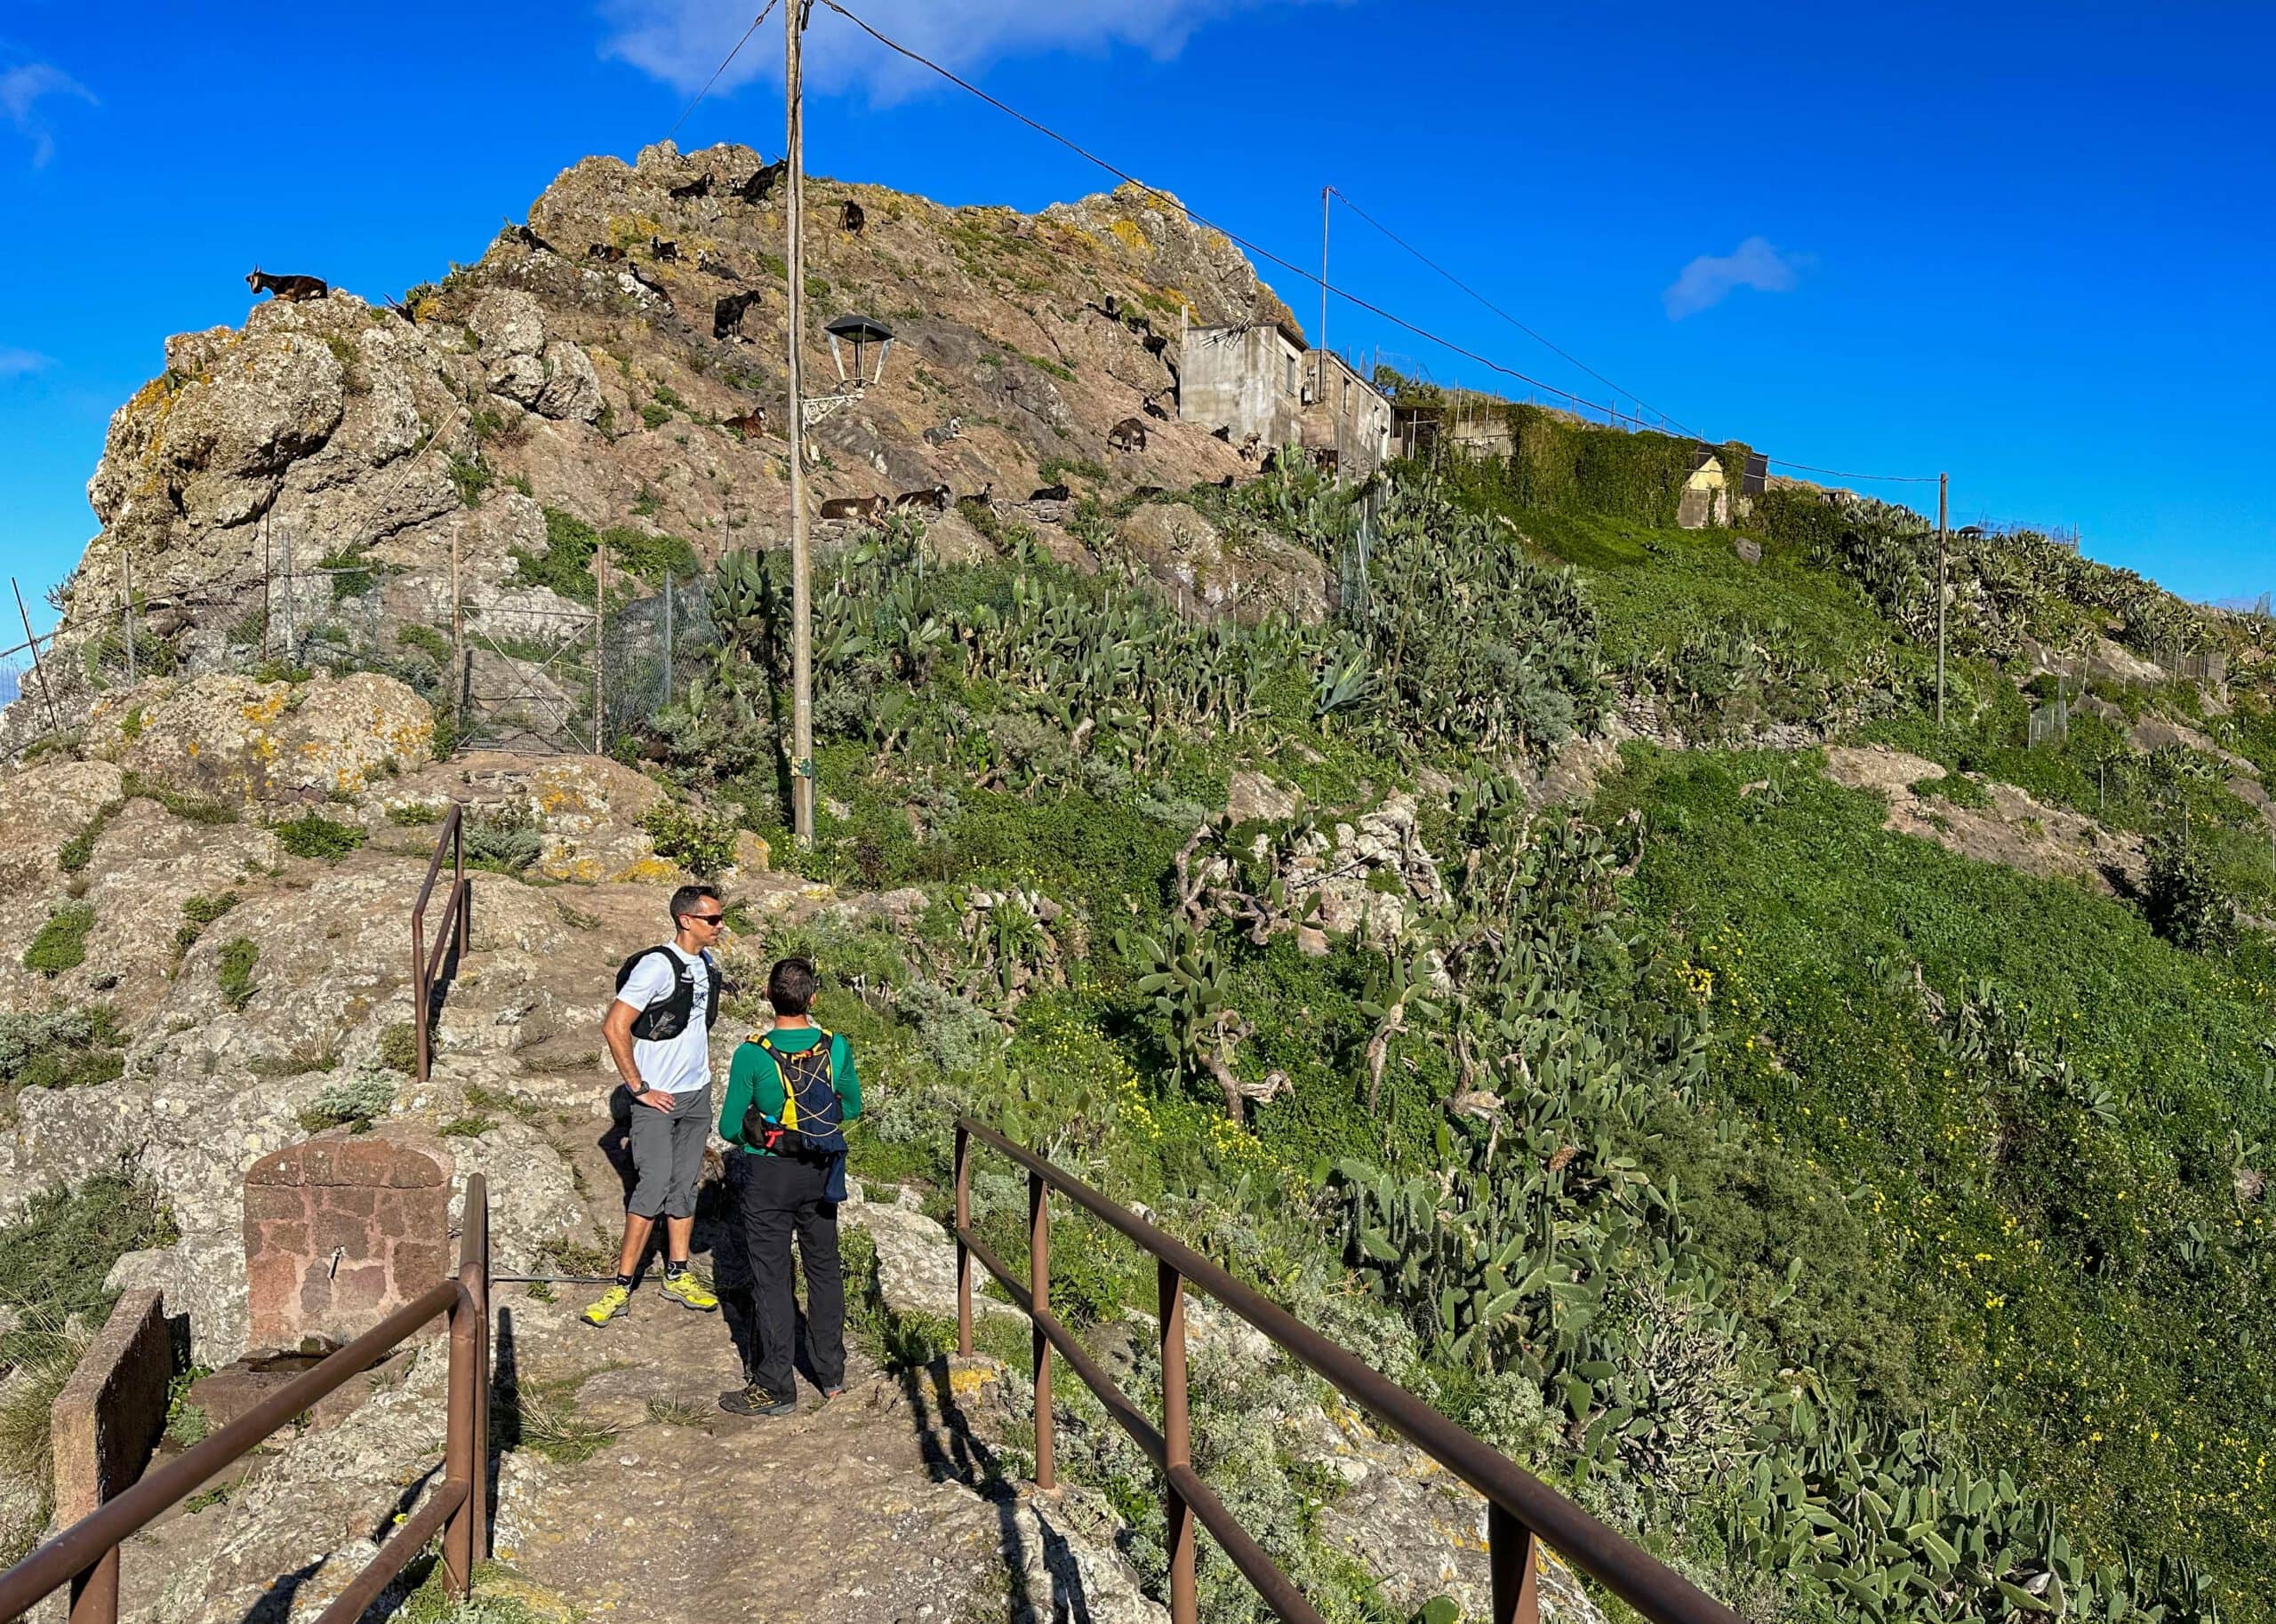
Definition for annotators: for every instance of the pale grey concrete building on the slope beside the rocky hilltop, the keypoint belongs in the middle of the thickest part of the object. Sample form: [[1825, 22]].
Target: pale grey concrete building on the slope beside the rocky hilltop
[[1262, 386]]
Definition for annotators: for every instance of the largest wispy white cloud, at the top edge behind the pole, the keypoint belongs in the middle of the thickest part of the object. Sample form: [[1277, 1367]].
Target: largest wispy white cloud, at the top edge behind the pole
[[682, 42]]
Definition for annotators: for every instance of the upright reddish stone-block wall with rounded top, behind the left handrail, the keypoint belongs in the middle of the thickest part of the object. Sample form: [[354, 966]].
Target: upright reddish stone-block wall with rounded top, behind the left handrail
[[343, 1232]]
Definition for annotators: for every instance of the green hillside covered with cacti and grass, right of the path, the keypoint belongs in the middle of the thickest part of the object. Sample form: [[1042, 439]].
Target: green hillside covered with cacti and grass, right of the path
[[1872, 1227]]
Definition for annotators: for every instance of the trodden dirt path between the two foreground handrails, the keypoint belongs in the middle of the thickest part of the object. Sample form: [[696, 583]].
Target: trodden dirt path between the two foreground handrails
[[632, 1495]]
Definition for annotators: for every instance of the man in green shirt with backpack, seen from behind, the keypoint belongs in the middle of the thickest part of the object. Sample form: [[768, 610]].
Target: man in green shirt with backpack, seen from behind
[[789, 1100]]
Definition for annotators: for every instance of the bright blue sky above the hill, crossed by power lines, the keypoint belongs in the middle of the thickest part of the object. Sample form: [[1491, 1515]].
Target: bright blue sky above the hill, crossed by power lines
[[2029, 245]]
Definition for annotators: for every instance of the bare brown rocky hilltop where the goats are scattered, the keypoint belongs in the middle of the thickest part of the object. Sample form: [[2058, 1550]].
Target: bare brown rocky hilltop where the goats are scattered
[[620, 361]]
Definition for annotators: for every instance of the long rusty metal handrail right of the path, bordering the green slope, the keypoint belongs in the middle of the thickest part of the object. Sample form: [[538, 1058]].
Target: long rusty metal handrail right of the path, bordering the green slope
[[1519, 1507]]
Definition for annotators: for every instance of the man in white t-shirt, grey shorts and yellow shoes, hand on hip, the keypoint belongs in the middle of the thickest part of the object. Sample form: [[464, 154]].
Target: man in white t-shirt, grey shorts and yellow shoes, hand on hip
[[659, 1031]]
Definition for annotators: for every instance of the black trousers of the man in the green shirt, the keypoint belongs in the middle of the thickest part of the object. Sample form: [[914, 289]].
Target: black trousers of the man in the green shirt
[[782, 1198]]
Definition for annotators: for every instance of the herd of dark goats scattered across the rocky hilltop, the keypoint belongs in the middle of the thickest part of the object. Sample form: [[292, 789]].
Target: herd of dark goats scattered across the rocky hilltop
[[1130, 436]]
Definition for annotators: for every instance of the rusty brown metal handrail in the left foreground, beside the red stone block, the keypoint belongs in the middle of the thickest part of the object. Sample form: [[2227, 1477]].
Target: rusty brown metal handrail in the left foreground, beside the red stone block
[[85, 1555]]
